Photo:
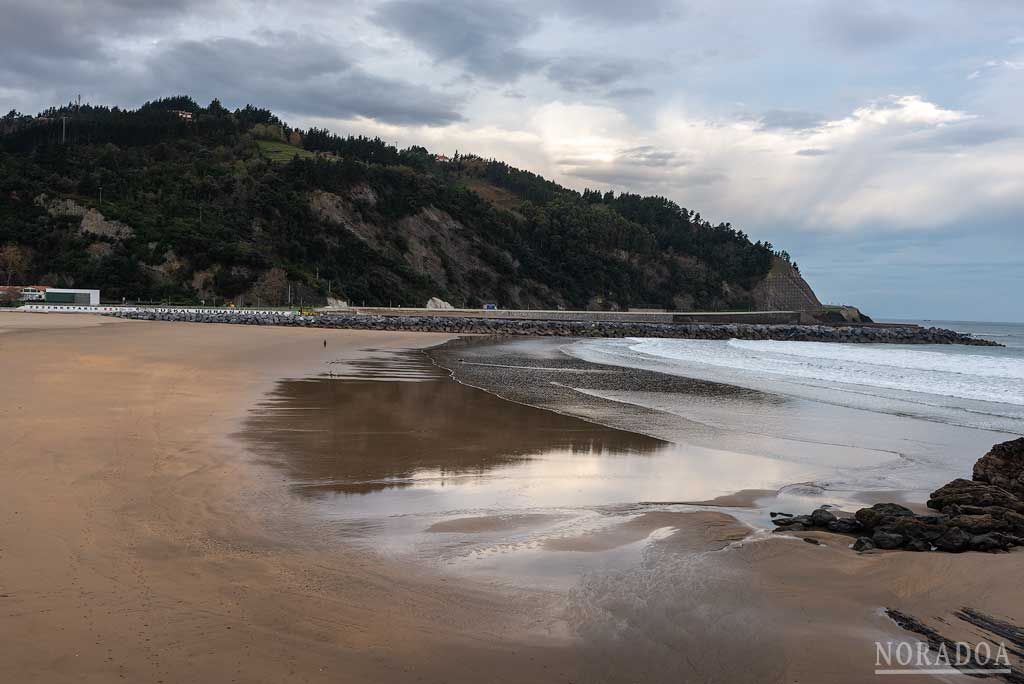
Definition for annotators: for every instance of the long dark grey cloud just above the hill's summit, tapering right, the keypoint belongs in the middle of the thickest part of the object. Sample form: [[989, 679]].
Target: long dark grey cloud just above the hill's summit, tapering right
[[292, 73]]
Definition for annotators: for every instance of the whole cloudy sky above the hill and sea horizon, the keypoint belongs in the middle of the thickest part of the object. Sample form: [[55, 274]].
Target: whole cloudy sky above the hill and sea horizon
[[881, 144]]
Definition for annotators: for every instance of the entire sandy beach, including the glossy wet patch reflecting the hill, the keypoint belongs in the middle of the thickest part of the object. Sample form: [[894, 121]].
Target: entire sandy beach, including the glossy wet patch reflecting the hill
[[165, 519]]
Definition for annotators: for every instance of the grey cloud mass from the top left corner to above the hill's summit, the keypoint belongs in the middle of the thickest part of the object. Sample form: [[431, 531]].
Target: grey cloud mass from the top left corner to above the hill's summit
[[56, 51]]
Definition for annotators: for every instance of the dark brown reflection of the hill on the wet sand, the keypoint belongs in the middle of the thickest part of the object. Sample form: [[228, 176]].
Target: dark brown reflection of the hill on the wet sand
[[362, 435]]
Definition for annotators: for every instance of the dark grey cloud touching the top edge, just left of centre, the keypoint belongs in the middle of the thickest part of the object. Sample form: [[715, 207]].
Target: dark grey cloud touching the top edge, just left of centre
[[481, 37]]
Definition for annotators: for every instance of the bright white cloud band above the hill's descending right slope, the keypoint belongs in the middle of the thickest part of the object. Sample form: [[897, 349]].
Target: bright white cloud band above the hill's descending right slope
[[871, 178]]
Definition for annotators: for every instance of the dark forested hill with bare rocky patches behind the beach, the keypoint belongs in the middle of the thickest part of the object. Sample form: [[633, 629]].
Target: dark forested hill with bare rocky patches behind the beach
[[183, 203]]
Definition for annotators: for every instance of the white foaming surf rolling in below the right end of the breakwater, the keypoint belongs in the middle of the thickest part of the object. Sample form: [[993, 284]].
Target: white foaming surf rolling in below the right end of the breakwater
[[972, 386]]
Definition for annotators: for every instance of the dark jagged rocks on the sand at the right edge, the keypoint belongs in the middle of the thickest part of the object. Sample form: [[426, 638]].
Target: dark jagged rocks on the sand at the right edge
[[986, 514]]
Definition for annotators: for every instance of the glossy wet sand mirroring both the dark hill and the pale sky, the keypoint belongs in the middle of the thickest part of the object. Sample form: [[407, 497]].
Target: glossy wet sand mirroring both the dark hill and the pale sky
[[398, 455]]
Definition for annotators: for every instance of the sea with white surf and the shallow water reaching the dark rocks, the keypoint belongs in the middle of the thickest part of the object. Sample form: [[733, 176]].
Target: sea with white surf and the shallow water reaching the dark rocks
[[933, 409]]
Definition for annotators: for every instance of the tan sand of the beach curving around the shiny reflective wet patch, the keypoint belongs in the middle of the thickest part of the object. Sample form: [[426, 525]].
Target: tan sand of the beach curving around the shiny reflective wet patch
[[140, 542]]
